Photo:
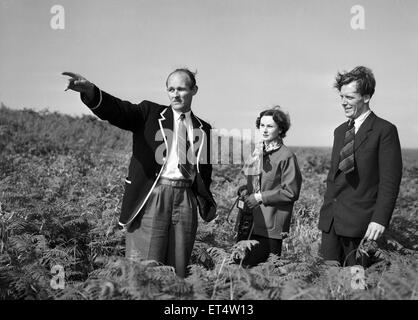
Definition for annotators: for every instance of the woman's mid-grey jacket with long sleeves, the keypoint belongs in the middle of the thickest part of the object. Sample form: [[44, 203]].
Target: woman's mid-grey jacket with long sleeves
[[281, 181]]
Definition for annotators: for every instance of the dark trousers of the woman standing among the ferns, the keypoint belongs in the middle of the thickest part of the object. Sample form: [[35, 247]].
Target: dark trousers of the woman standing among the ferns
[[261, 251]]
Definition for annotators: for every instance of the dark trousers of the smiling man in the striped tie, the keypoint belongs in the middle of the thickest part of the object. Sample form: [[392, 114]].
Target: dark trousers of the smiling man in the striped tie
[[340, 250]]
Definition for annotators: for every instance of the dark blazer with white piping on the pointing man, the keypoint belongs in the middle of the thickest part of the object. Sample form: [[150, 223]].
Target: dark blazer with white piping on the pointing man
[[152, 129]]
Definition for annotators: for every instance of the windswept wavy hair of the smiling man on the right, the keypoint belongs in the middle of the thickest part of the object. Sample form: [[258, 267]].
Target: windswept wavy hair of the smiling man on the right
[[363, 76]]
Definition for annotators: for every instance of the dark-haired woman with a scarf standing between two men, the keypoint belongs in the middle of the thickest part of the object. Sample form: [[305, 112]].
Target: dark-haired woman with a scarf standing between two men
[[273, 185]]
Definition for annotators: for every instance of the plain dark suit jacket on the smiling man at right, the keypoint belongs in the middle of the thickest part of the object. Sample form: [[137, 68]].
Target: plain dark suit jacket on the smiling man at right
[[369, 193]]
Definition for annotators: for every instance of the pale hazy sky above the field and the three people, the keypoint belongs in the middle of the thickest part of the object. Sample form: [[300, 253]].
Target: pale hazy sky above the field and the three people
[[249, 54]]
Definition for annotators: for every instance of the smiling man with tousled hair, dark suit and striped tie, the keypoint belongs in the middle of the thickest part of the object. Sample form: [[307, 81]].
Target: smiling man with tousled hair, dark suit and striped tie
[[365, 173]]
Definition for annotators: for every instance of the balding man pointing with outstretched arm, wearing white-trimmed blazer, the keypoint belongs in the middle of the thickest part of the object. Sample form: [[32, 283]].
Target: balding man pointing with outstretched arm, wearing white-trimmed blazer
[[169, 173]]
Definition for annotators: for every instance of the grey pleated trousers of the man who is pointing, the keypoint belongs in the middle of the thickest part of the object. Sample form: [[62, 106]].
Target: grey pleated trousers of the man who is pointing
[[165, 229]]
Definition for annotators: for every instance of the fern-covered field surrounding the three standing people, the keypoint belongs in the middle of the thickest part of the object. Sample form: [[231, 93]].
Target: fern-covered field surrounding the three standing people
[[61, 184]]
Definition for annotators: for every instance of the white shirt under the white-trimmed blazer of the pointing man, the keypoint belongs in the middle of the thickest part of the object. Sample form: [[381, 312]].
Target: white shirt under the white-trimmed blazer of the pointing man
[[171, 170]]
